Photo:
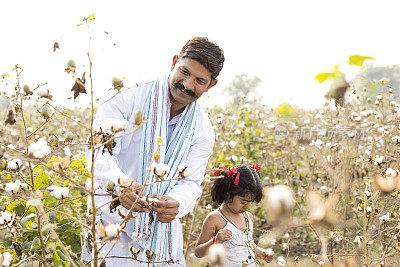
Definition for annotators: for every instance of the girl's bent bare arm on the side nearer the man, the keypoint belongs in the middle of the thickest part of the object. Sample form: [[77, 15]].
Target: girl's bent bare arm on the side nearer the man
[[206, 239]]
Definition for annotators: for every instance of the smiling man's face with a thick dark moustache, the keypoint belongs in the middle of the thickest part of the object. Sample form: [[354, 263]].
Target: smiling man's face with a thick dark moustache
[[188, 81]]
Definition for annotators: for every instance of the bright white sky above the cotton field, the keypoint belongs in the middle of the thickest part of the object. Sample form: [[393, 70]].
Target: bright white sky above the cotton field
[[285, 43]]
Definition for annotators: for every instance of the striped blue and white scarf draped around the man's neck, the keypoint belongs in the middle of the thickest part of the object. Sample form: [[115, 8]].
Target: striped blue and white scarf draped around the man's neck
[[158, 236]]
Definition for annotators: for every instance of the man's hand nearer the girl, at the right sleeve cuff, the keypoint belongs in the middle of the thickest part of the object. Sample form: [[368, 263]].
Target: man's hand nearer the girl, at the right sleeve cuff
[[166, 208]]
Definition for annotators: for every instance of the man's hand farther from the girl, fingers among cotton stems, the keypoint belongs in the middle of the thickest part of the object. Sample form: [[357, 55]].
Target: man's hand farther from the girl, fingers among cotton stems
[[129, 195]]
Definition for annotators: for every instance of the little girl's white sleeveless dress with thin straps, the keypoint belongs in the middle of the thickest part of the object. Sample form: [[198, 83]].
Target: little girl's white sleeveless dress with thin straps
[[239, 249]]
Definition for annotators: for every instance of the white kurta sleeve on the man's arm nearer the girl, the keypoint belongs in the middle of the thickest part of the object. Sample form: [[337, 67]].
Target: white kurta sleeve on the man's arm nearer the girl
[[187, 191]]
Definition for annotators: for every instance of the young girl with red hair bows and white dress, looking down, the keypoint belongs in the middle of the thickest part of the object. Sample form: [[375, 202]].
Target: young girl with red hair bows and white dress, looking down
[[231, 224]]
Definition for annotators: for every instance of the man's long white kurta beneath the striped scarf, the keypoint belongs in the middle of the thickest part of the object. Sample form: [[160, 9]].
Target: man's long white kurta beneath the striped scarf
[[124, 162]]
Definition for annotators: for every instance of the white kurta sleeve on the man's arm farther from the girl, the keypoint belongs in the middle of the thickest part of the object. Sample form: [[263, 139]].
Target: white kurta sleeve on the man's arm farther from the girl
[[106, 166]]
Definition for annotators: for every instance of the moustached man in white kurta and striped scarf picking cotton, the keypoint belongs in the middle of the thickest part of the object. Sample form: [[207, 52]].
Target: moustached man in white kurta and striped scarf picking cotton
[[172, 113]]
